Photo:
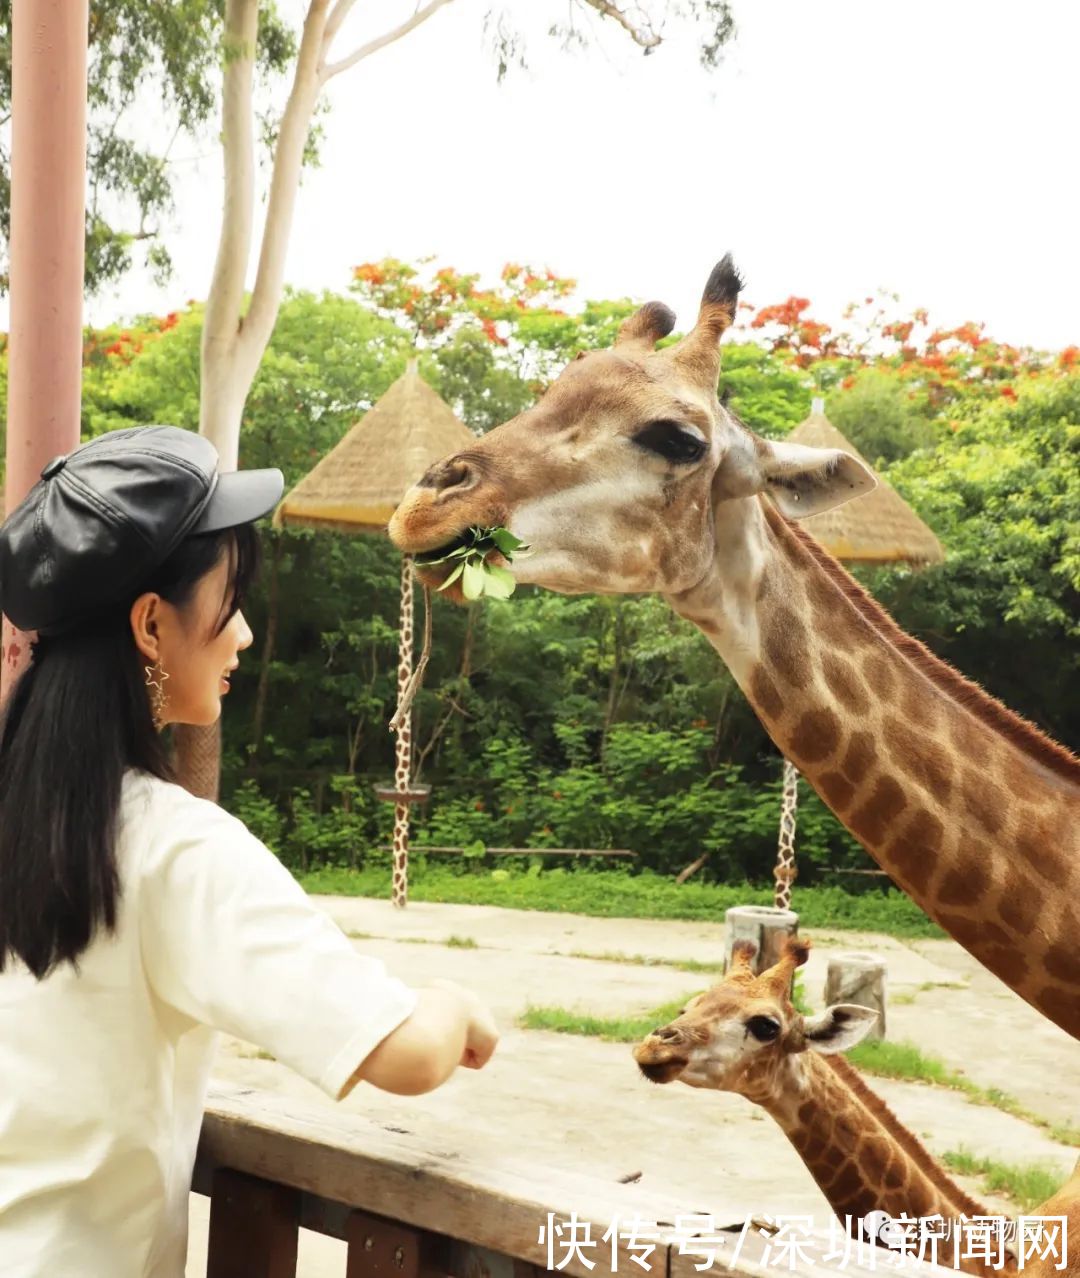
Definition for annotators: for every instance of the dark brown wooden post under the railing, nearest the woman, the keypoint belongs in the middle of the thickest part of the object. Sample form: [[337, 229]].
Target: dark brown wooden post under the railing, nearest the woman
[[255, 1229]]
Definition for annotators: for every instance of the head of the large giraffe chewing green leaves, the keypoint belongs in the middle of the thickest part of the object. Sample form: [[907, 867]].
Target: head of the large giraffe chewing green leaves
[[622, 475]]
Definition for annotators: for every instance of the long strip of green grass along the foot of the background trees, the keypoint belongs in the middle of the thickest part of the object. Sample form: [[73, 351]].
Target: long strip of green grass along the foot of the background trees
[[617, 894]]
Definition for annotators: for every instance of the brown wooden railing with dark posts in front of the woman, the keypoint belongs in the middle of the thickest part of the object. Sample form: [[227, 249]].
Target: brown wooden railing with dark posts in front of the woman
[[410, 1211]]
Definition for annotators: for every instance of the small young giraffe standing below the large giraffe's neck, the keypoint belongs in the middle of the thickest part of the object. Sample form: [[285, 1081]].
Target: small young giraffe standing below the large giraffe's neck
[[744, 1036]]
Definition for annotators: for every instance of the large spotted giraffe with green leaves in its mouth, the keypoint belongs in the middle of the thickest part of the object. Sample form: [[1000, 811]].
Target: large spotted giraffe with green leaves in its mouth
[[631, 476]]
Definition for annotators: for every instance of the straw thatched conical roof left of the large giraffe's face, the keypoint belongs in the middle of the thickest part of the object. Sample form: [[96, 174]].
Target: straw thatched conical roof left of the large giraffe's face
[[361, 482]]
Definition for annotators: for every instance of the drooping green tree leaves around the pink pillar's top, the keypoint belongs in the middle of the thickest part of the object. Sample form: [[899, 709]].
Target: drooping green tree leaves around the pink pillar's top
[[172, 49]]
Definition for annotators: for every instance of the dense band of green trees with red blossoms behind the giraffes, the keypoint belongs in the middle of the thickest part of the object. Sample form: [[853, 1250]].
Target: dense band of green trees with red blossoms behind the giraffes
[[587, 721]]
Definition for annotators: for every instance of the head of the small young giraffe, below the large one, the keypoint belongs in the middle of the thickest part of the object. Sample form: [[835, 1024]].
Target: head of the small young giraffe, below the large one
[[741, 1035]]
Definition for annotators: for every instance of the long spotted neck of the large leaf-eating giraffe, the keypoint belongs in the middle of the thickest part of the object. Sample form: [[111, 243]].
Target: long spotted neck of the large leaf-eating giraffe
[[969, 810]]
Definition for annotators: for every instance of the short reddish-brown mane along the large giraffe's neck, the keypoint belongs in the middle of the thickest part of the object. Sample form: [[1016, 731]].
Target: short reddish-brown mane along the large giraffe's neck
[[987, 709]]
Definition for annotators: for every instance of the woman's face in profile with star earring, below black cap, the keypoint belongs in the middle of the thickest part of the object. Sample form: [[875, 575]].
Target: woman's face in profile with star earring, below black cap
[[197, 658]]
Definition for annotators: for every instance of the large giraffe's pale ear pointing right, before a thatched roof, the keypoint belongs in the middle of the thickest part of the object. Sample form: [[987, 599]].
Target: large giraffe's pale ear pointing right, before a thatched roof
[[802, 481]]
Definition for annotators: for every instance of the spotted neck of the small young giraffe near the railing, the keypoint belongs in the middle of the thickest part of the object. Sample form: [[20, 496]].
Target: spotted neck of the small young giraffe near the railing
[[862, 1157]]
